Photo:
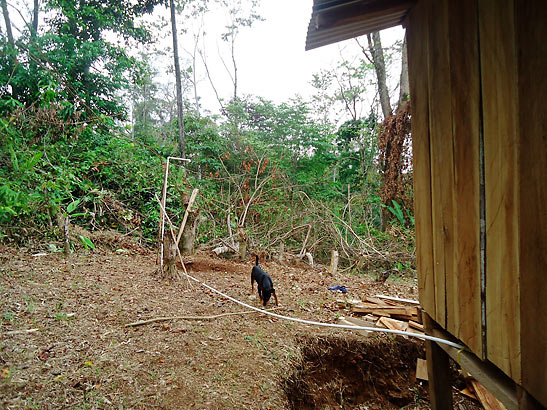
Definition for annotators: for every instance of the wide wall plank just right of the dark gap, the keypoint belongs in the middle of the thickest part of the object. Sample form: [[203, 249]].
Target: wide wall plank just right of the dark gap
[[501, 148]]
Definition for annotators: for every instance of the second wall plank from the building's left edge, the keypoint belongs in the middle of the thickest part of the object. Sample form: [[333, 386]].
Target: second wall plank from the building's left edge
[[442, 167]]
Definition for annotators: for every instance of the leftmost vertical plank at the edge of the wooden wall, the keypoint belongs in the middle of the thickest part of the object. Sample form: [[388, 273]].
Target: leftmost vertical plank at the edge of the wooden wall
[[418, 46]]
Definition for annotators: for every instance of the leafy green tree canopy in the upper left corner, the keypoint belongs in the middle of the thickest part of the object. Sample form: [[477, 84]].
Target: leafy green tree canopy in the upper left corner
[[73, 61]]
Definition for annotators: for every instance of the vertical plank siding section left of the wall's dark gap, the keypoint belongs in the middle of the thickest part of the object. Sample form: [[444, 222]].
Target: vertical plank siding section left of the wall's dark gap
[[445, 134]]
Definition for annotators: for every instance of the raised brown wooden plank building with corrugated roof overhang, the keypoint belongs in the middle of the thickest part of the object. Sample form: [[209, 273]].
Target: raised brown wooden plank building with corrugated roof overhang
[[478, 79]]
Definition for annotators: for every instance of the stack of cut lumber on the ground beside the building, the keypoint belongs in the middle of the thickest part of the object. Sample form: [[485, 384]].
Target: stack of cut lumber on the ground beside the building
[[381, 312]]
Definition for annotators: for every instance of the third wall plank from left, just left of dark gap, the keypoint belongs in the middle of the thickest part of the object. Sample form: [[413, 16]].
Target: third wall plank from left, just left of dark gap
[[464, 284]]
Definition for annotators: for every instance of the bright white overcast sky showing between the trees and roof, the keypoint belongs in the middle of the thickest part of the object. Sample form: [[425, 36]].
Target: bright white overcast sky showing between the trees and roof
[[270, 55]]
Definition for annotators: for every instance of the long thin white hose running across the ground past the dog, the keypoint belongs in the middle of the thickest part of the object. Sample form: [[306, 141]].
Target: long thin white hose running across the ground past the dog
[[310, 322]]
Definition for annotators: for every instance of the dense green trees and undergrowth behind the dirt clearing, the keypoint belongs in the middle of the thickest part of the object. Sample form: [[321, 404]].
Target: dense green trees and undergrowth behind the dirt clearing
[[270, 167]]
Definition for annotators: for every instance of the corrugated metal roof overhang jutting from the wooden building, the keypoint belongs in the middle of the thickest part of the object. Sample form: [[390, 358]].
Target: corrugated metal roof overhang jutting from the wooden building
[[337, 20]]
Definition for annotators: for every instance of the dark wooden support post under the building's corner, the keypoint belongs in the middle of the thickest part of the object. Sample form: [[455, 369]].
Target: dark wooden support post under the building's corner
[[438, 371]]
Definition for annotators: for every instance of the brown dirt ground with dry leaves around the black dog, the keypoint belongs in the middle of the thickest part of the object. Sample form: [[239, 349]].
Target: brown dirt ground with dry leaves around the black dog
[[64, 343]]
